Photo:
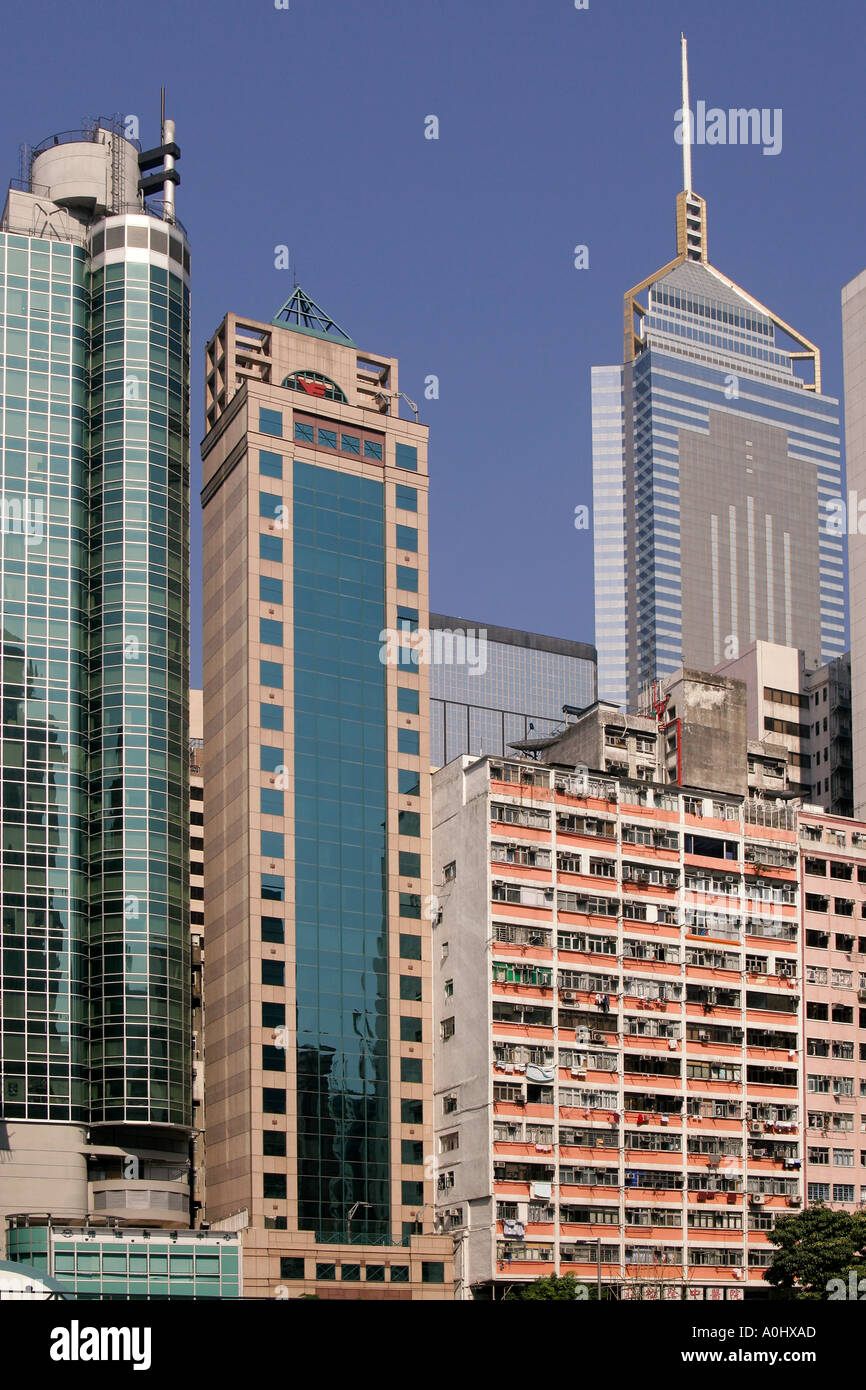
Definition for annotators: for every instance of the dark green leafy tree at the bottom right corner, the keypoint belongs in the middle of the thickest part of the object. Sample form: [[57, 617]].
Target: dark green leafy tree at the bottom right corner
[[815, 1248]]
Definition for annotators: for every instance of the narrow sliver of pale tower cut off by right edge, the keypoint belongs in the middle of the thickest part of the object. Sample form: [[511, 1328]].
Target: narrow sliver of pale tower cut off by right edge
[[854, 354]]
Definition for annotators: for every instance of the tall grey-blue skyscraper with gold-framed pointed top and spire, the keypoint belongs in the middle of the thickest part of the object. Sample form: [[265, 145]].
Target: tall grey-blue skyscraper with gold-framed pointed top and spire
[[715, 454]]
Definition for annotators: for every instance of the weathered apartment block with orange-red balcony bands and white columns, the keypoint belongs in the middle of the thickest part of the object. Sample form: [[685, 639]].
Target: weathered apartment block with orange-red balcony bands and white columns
[[619, 1003]]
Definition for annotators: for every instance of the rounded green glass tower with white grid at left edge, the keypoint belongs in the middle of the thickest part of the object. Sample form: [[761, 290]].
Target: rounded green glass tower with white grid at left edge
[[95, 437]]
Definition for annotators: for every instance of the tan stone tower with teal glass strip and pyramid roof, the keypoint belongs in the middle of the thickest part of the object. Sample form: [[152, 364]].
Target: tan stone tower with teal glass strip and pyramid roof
[[318, 822]]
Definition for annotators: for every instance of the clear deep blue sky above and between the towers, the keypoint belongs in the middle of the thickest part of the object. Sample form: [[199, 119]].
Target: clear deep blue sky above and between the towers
[[307, 127]]
